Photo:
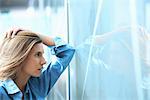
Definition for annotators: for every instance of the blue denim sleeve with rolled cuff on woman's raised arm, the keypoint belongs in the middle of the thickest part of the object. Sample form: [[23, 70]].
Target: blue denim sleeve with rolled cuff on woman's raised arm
[[63, 54]]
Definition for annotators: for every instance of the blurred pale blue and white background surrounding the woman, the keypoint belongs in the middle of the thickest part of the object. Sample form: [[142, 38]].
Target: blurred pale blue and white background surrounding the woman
[[111, 37]]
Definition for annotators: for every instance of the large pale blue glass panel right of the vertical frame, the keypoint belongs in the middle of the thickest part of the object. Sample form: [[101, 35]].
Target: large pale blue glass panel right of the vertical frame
[[112, 51]]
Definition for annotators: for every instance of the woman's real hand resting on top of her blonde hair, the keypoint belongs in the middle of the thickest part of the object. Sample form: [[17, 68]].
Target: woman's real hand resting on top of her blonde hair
[[12, 33]]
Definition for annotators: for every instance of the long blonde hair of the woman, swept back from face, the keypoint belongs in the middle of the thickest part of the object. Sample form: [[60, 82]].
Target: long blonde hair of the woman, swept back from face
[[13, 51]]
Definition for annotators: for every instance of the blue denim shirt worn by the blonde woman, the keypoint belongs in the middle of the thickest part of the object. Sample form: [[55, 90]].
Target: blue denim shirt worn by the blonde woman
[[38, 88]]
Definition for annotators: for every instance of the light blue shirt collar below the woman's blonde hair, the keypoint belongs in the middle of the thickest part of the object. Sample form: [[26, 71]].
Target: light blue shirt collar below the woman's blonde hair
[[10, 86]]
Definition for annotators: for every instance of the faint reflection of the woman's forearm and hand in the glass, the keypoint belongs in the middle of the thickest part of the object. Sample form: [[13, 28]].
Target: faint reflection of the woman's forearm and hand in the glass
[[103, 38]]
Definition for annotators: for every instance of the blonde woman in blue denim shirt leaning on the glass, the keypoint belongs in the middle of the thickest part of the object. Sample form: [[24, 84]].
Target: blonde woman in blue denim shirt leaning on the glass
[[21, 64]]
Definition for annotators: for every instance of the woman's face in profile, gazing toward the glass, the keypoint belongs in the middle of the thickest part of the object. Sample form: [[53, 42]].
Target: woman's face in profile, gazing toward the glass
[[34, 62]]
